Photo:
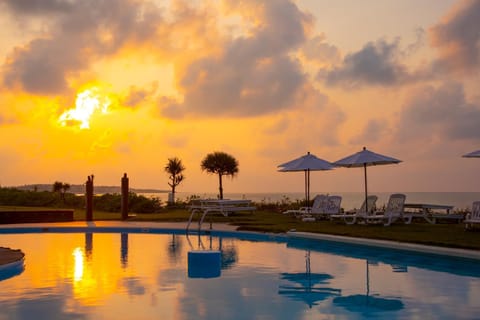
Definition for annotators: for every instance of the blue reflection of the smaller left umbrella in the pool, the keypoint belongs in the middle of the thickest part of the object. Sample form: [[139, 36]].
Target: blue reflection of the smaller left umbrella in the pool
[[306, 288]]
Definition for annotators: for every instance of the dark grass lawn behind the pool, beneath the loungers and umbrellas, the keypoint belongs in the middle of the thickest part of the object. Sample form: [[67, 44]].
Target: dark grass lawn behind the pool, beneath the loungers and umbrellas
[[444, 234]]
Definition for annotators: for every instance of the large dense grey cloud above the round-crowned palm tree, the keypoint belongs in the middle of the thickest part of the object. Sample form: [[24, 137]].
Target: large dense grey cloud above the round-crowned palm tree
[[232, 87]]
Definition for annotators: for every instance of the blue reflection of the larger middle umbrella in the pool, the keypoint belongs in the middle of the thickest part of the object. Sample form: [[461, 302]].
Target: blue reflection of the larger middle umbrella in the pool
[[368, 303]]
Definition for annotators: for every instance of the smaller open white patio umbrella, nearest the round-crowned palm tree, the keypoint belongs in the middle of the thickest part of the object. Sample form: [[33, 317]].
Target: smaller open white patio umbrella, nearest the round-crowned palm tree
[[306, 163]]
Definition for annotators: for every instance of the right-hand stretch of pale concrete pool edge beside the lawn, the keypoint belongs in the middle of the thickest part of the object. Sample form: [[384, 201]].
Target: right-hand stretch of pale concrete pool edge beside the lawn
[[455, 252]]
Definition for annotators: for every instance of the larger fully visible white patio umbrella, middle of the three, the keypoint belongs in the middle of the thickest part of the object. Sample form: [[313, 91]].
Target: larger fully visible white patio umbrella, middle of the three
[[365, 158]]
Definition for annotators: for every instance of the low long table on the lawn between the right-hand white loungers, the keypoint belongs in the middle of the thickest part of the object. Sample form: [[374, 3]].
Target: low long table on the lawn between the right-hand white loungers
[[431, 212]]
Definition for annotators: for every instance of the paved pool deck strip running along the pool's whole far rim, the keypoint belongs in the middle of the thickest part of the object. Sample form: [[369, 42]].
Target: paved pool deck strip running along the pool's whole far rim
[[6, 256]]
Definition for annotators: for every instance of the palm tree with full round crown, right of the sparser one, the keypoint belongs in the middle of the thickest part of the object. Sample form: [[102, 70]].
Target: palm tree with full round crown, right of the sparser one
[[222, 164]]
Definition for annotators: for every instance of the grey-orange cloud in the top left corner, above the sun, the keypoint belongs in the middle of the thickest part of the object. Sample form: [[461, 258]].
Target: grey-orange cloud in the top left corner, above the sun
[[84, 31]]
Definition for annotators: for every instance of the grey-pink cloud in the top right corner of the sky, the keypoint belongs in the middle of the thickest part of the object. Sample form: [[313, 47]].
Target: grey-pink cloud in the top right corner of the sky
[[457, 37]]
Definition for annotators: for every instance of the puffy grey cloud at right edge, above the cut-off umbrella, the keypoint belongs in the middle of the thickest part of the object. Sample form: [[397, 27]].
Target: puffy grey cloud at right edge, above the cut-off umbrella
[[441, 112]]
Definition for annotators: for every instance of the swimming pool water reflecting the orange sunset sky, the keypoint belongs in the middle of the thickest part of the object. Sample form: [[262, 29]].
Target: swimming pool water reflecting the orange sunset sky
[[125, 275]]
